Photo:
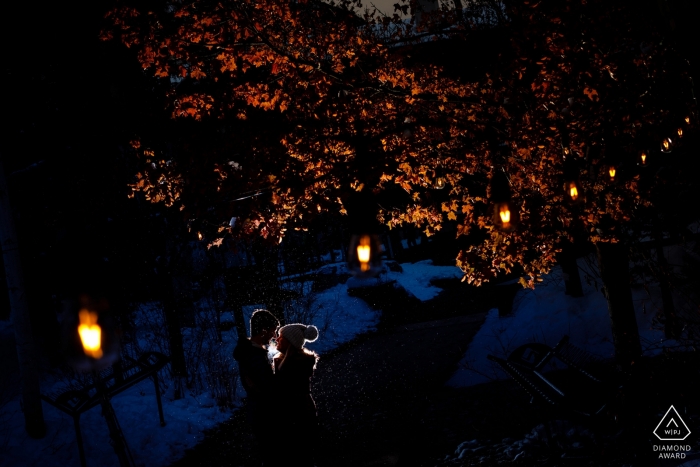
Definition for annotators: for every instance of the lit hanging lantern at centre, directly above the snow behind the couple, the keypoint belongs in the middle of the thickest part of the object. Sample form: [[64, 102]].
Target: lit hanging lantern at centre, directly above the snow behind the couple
[[365, 248]]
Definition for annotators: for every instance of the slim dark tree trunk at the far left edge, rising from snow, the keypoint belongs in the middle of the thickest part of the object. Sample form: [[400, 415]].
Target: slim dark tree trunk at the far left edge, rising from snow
[[19, 313]]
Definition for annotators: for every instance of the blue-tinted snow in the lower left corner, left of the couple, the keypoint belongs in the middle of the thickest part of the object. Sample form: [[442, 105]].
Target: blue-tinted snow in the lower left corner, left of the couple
[[136, 411]]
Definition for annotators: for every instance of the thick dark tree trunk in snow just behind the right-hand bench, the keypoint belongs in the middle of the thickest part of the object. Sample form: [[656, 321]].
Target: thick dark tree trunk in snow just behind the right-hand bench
[[614, 271]]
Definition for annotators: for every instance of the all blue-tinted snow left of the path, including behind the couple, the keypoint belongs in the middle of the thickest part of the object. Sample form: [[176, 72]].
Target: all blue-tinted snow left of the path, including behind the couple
[[339, 316]]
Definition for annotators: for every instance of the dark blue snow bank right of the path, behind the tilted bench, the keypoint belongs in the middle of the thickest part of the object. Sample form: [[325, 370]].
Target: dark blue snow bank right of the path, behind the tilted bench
[[545, 315]]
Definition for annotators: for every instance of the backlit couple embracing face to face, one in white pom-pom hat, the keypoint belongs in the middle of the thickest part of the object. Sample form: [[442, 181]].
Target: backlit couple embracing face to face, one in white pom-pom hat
[[280, 407]]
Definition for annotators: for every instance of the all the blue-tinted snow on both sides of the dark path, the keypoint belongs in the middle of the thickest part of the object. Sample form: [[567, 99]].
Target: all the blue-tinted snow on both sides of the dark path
[[543, 315]]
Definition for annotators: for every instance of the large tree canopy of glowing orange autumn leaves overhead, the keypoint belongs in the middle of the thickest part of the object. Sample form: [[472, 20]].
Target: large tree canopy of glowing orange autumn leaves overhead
[[330, 100]]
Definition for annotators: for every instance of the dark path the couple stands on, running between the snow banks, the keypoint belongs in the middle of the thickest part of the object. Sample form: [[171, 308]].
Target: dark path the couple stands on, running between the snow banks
[[369, 396]]
